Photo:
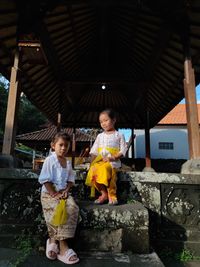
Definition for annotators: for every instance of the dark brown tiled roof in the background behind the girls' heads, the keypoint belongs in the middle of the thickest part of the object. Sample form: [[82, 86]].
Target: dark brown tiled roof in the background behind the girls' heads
[[48, 133]]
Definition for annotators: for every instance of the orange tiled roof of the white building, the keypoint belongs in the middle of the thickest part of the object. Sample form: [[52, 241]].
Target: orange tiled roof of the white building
[[177, 115]]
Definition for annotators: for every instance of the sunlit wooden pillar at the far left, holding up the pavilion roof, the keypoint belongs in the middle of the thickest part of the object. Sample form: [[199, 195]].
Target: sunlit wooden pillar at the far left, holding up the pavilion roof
[[12, 109]]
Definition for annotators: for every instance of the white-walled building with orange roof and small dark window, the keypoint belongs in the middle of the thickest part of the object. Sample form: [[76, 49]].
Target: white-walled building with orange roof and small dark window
[[169, 139]]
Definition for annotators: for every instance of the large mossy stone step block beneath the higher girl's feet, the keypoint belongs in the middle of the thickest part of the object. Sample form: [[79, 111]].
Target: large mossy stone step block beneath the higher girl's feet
[[113, 228]]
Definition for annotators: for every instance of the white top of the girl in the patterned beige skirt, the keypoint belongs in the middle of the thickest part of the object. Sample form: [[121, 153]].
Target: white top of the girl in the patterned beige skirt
[[53, 172]]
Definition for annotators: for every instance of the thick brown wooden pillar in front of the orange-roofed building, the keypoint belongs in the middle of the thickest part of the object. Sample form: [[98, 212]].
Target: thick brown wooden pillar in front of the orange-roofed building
[[191, 110]]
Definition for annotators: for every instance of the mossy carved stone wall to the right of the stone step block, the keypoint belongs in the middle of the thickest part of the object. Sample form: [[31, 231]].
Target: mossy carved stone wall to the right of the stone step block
[[173, 201]]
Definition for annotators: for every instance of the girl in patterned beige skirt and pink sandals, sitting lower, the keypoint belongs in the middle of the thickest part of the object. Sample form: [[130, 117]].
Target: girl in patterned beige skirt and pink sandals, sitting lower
[[57, 178]]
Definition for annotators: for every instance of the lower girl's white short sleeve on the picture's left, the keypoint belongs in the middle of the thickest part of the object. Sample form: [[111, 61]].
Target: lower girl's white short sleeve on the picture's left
[[46, 174]]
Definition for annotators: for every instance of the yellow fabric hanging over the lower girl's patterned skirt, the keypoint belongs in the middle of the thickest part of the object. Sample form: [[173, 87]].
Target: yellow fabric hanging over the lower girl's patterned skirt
[[60, 214]]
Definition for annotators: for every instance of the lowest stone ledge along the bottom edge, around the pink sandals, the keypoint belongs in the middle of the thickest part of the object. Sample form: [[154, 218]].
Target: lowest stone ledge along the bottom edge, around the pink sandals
[[9, 256]]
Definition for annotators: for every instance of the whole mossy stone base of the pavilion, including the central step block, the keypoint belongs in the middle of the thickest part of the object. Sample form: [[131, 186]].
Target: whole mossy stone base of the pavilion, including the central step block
[[169, 214]]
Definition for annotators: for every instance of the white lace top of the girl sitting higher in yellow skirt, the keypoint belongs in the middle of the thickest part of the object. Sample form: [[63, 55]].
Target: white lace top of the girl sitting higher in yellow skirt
[[114, 140]]
